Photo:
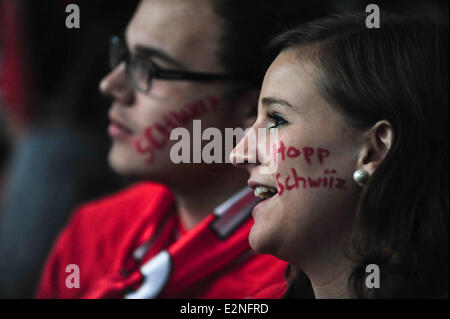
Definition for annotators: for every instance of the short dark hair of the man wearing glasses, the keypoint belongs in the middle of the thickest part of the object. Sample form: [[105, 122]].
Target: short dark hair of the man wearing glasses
[[250, 24]]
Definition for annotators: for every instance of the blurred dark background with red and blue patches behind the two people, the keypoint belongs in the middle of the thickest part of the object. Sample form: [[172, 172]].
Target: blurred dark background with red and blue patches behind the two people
[[53, 141]]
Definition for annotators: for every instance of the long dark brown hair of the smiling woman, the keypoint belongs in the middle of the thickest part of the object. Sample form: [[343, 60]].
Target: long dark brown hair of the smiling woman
[[399, 73]]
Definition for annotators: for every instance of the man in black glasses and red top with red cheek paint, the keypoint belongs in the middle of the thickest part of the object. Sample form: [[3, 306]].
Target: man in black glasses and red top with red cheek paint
[[189, 237]]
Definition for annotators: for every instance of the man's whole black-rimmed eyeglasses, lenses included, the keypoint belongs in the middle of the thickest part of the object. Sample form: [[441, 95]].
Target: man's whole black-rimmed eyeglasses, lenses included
[[141, 70]]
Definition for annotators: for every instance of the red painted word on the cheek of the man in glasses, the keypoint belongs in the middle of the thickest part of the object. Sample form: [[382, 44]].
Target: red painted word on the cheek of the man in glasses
[[156, 136]]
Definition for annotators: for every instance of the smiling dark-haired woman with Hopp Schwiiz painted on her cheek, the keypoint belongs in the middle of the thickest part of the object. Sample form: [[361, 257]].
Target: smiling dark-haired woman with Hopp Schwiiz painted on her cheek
[[358, 203]]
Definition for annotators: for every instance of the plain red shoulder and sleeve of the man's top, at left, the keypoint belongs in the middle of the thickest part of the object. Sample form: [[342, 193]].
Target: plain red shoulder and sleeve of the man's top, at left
[[99, 238]]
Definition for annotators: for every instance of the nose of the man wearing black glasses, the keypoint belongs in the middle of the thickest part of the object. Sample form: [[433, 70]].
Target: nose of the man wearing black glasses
[[116, 85]]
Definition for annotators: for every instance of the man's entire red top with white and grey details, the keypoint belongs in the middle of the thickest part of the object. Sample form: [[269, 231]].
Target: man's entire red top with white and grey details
[[131, 245]]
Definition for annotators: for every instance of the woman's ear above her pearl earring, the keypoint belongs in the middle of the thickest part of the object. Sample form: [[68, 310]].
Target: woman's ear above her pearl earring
[[378, 140]]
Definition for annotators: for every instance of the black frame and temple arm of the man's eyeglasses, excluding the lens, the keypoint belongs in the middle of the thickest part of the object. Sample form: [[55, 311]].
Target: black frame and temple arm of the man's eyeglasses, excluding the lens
[[154, 71]]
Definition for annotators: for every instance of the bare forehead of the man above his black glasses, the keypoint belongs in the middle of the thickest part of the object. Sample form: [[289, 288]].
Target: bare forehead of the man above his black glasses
[[175, 26]]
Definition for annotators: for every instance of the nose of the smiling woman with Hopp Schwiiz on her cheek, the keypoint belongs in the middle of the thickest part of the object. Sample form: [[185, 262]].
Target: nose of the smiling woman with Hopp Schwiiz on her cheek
[[246, 152]]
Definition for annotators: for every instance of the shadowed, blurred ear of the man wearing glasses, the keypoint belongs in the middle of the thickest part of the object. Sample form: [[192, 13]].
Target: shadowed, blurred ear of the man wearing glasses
[[246, 109]]
